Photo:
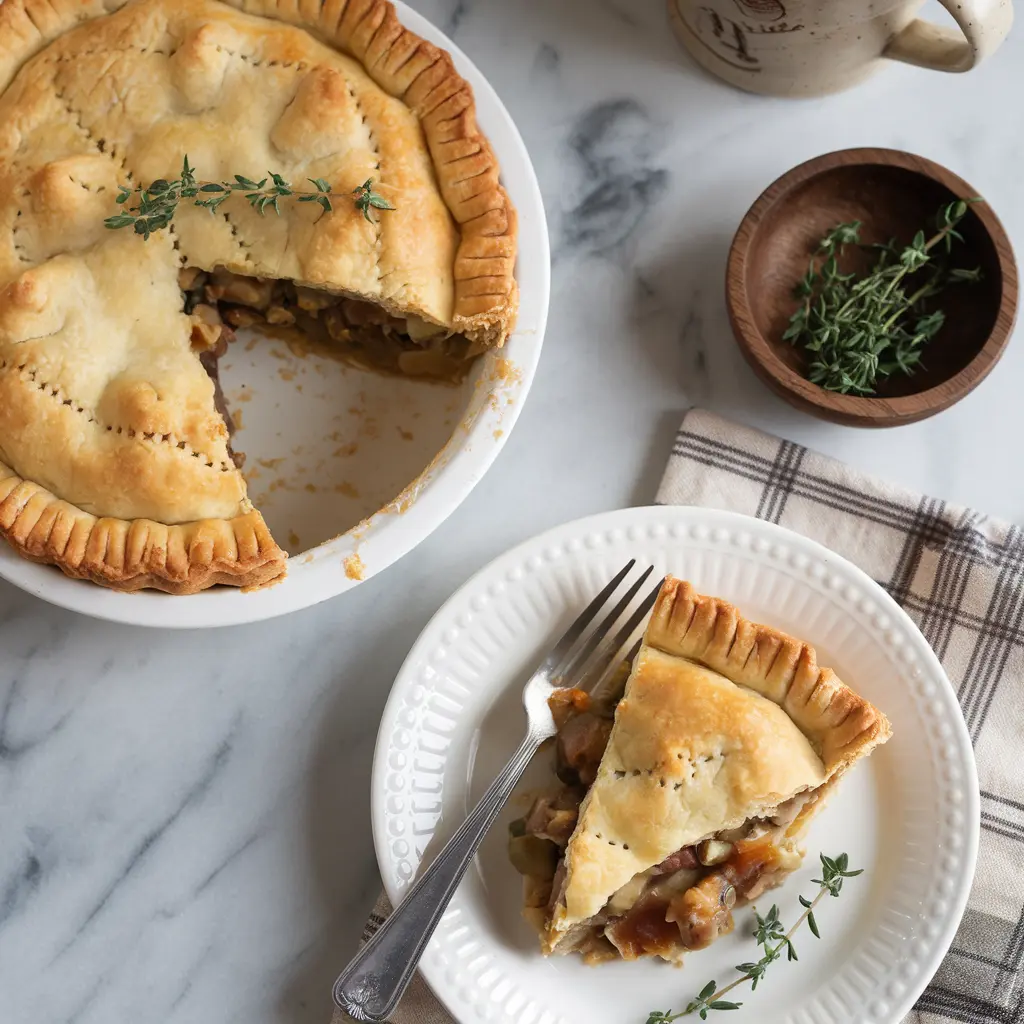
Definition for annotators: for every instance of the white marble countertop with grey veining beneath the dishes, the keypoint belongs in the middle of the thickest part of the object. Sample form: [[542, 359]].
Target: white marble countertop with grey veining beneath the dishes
[[186, 829]]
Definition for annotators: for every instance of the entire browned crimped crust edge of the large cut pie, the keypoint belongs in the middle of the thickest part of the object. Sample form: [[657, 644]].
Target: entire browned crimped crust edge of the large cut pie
[[190, 558]]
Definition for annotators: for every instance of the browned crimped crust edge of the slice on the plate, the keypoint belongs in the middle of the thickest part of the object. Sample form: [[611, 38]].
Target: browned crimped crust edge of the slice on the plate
[[842, 724]]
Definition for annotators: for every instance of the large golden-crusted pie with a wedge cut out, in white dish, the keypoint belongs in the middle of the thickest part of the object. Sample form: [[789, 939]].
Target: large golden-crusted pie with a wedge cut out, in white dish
[[116, 461]]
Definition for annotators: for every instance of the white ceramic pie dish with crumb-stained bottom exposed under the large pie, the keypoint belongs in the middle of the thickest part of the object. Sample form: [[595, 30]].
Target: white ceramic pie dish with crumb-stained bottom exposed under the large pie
[[420, 457]]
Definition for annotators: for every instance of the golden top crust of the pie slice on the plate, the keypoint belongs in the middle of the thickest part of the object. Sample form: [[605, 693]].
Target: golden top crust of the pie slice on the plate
[[722, 720]]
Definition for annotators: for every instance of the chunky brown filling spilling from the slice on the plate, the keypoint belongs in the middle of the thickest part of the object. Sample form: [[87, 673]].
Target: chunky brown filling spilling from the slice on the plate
[[681, 905]]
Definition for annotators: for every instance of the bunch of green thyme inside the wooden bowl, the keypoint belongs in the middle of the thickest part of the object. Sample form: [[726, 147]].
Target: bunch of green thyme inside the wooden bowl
[[858, 330]]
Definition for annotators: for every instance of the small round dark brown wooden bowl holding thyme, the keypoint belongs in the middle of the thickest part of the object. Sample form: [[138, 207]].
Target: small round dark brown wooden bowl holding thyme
[[894, 195]]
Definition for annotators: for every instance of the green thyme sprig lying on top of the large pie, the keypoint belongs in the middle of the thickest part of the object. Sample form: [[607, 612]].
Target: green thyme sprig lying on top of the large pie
[[157, 203]]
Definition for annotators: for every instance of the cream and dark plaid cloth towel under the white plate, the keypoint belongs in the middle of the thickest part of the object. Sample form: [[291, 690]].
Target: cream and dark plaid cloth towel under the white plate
[[960, 575]]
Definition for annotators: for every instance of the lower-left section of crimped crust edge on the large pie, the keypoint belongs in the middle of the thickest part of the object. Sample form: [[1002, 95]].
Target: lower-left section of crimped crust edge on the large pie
[[131, 557]]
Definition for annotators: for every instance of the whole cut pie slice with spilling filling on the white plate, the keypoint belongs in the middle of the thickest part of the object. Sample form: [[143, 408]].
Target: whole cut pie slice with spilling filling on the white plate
[[692, 793]]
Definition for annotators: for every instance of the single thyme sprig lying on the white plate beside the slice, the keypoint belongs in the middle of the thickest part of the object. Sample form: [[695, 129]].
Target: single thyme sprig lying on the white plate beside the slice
[[774, 940]]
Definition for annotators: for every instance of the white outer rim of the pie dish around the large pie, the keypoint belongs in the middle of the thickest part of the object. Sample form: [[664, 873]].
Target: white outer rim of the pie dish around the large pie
[[392, 533]]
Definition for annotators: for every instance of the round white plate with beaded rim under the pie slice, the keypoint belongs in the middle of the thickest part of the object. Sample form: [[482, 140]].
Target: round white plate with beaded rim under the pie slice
[[910, 816]]
